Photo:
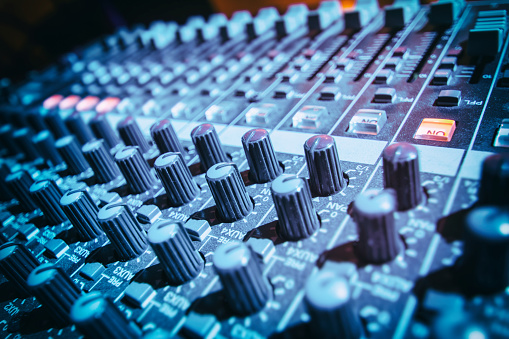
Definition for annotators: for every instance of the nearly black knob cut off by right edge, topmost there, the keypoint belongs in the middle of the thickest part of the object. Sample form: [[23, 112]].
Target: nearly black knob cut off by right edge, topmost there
[[495, 180]]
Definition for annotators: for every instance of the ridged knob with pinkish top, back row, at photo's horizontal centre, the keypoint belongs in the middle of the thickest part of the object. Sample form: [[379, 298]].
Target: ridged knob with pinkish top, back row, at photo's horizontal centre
[[260, 155]]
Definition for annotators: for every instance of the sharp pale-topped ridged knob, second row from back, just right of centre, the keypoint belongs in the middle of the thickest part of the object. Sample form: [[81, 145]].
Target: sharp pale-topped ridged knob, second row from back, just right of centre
[[296, 213]]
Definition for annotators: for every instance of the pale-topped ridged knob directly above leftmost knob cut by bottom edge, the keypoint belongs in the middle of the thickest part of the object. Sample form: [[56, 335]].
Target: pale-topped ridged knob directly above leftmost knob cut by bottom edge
[[125, 233]]
